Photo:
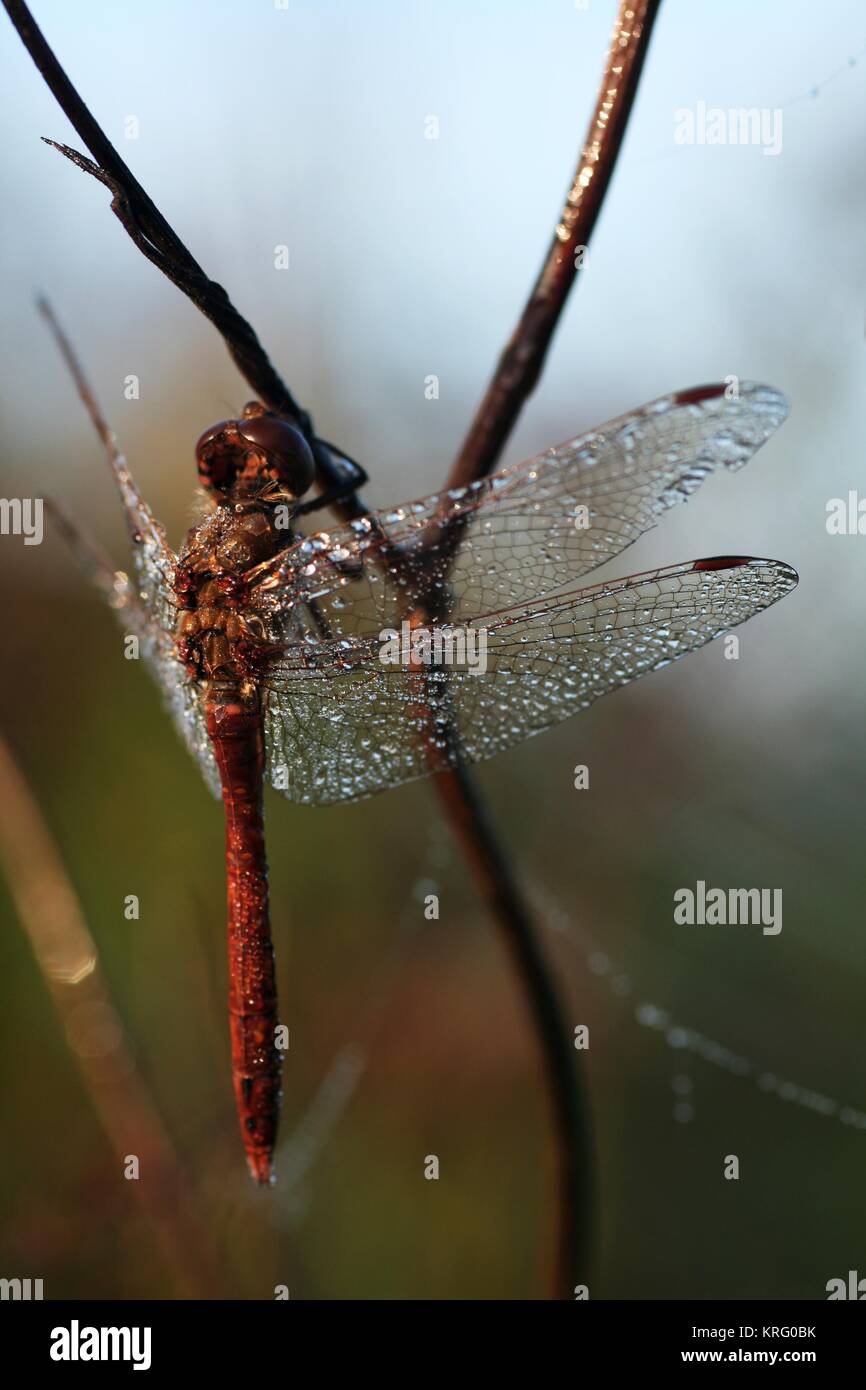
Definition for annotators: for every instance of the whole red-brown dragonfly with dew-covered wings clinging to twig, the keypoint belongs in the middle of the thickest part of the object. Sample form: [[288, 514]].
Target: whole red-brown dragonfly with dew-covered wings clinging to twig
[[268, 643]]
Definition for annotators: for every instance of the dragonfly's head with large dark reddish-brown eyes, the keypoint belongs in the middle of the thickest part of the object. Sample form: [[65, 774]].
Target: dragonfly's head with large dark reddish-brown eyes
[[241, 457]]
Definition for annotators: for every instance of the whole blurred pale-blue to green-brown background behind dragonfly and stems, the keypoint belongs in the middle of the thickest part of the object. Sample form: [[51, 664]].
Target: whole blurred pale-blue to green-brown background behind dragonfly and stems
[[408, 258]]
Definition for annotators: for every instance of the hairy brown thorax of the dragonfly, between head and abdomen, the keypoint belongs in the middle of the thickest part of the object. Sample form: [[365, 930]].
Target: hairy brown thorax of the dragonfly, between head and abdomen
[[219, 636]]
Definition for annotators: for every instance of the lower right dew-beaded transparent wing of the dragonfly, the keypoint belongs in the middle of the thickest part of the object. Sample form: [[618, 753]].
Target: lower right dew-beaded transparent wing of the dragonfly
[[340, 725]]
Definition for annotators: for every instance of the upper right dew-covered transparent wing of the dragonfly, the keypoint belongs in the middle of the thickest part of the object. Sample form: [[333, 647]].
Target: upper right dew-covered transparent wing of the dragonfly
[[525, 532]]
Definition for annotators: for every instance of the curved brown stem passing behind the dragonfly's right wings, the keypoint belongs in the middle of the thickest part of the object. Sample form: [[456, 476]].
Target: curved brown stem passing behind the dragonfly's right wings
[[516, 376]]
